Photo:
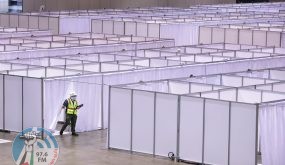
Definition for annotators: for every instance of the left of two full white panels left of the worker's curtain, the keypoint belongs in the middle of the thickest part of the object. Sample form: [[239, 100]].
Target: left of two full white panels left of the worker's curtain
[[13, 103]]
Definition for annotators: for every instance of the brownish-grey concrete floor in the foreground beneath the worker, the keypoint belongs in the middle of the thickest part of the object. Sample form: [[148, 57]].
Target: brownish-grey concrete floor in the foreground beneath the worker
[[88, 148]]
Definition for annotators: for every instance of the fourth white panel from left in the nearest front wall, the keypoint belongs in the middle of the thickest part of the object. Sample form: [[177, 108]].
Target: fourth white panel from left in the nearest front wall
[[191, 129]]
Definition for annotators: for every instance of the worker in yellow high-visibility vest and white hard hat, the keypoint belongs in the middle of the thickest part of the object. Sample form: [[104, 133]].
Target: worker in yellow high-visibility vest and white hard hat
[[71, 106]]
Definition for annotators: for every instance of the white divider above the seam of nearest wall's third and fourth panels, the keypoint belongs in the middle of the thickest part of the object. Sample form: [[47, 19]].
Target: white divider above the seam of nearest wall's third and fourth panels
[[178, 87]]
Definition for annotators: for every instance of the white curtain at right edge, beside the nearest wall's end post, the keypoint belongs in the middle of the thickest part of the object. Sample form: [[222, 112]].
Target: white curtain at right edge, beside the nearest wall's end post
[[272, 132]]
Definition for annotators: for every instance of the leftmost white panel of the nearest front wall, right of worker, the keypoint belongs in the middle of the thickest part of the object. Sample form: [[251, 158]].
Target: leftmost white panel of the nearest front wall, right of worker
[[120, 119]]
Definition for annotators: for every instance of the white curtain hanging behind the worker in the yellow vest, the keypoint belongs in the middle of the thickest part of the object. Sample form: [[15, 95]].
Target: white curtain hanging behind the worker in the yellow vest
[[88, 90]]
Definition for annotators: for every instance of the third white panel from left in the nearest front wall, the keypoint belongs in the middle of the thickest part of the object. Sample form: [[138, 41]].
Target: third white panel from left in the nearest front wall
[[165, 124]]
